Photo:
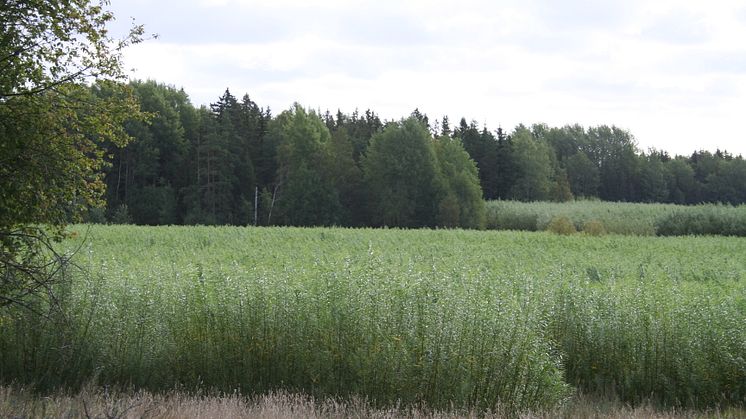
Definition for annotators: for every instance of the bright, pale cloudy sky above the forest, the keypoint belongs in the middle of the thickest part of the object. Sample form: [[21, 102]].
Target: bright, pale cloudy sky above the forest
[[671, 72]]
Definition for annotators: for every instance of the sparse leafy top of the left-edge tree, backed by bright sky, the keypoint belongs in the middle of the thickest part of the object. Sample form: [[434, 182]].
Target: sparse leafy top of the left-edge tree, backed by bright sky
[[44, 46]]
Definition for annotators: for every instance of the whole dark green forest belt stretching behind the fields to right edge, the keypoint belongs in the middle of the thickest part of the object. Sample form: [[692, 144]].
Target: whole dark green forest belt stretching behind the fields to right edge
[[236, 163]]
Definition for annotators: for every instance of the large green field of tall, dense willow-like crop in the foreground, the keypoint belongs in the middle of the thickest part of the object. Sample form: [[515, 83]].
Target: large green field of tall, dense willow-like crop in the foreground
[[439, 318]]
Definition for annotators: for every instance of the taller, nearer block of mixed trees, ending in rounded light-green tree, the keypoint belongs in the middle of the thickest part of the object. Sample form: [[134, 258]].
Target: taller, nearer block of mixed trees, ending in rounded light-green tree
[[235, 163]]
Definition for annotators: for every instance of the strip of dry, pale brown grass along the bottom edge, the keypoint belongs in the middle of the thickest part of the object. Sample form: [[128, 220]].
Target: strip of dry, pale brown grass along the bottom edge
[[100, 403]]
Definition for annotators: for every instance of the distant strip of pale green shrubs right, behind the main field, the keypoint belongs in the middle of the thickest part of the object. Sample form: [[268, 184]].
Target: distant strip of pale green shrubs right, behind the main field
[[598, 217]]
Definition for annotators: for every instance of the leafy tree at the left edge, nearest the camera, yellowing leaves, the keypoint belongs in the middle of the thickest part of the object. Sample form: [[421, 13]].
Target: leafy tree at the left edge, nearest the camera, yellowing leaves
[[51, 127]]
